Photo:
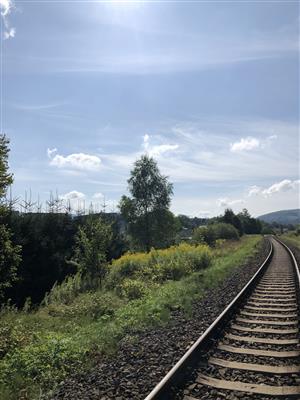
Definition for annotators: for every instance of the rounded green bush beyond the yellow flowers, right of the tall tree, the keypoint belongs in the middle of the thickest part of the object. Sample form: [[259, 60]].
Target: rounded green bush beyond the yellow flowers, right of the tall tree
[[211, 233]]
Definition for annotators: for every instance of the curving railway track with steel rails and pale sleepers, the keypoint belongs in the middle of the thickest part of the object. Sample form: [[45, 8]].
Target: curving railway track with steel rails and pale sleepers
[[252, 350]]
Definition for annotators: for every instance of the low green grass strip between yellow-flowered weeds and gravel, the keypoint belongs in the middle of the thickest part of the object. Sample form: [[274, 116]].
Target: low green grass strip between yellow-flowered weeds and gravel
[[43, 347]]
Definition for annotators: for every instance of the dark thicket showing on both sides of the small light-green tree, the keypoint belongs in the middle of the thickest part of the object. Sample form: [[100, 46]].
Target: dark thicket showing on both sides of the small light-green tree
[[48, 242]]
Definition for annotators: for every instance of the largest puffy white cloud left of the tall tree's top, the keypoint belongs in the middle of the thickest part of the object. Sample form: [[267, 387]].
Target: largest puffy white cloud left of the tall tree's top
[[81, 161]]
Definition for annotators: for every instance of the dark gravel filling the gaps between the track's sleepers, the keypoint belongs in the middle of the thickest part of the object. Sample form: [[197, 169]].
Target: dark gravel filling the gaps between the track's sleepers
[[280, 322]]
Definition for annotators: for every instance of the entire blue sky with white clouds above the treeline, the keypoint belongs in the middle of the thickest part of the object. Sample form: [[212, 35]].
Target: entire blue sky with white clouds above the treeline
[[209, 89]]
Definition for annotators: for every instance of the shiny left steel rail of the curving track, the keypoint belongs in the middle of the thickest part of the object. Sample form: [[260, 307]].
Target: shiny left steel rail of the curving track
[[177, 374]]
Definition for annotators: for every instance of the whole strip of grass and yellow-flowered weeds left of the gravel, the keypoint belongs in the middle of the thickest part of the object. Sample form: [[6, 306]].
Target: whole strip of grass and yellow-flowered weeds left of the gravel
[[42, 347]]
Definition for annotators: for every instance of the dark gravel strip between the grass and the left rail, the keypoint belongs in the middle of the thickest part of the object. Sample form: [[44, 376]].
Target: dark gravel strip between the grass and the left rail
[[140, 364]]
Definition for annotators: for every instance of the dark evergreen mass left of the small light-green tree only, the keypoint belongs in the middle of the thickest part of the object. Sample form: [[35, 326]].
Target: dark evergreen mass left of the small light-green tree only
[[47, 241]]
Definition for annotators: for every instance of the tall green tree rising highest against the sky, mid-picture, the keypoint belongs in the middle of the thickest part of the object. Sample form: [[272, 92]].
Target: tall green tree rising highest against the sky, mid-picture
[[150, 223]]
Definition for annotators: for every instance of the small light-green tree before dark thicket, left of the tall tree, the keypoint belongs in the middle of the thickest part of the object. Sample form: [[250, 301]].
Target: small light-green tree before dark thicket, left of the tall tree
[[92, 242]]
